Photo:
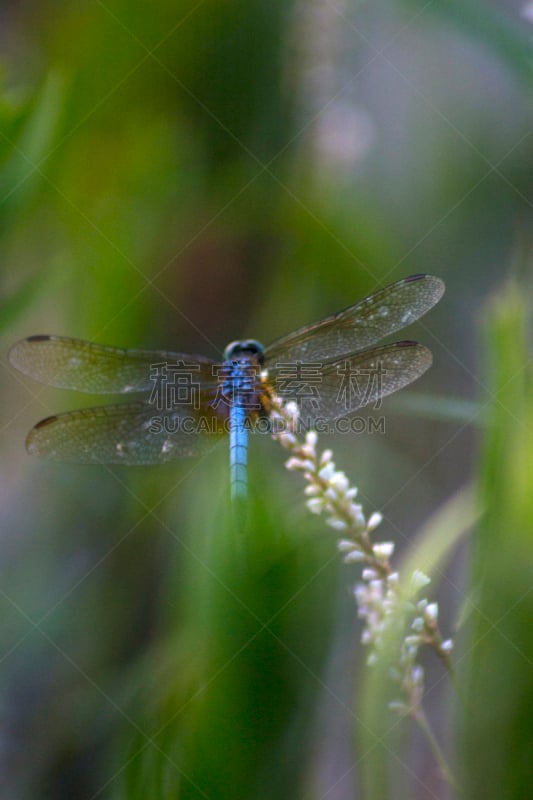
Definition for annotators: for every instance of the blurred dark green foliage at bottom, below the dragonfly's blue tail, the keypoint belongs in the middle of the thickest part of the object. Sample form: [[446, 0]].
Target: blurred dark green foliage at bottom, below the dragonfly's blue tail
[[244, 670]]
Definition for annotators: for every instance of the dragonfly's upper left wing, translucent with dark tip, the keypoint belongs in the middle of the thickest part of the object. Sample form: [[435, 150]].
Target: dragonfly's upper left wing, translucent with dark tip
[[93, 368]]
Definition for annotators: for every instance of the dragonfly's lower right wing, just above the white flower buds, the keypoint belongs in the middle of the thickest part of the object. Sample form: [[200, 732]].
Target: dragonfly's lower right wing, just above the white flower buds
[[346, 384]]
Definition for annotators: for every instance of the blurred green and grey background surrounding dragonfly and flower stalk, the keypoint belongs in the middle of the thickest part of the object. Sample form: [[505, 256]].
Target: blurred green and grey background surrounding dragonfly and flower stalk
[[180, 174]]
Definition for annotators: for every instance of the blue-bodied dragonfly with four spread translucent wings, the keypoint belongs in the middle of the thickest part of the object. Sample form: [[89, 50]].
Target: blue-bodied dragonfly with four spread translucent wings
[[186, 402]]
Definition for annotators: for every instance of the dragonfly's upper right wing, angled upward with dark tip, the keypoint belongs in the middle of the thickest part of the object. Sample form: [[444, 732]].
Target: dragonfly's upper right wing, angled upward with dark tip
[[359, 326]]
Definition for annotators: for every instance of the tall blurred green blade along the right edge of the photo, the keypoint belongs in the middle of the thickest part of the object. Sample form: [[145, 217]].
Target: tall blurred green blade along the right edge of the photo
[[497, 727]]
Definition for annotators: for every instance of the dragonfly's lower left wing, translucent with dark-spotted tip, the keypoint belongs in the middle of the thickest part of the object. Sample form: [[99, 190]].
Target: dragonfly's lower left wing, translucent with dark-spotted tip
[[126, 433]]
